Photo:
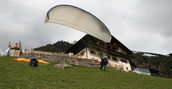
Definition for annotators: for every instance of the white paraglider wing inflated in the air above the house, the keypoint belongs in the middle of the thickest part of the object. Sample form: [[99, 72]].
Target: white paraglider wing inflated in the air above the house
[[79, 19]]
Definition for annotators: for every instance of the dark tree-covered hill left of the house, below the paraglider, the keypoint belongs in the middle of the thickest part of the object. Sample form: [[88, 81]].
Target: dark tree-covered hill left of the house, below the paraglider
[[59, 46]]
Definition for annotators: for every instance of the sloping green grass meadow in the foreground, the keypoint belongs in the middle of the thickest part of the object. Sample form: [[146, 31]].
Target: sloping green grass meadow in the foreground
[[19, 75]]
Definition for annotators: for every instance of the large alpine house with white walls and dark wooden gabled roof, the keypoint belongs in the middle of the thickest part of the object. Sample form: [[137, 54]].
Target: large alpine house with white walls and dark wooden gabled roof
[[92, 48]]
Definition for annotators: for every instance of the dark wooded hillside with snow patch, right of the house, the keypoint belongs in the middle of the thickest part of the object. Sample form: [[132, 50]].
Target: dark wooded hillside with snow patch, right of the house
[[158, 63]]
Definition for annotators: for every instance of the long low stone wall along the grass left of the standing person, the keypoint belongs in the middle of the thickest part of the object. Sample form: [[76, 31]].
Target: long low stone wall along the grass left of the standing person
[[63, 59]]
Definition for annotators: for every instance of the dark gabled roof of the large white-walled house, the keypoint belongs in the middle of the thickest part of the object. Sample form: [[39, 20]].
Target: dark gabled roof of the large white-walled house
[[90, 41]]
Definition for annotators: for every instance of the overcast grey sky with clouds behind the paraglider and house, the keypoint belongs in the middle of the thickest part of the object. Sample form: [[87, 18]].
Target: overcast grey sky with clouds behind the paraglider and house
[[141, 25]]
